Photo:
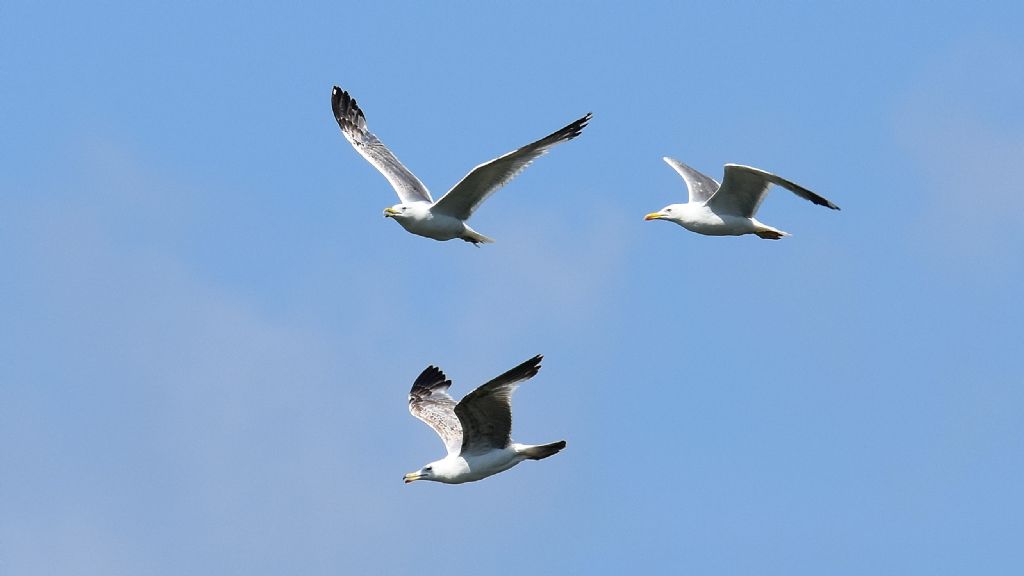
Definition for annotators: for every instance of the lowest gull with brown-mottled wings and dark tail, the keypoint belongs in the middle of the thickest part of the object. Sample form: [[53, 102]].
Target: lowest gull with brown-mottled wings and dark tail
[[477, 432]]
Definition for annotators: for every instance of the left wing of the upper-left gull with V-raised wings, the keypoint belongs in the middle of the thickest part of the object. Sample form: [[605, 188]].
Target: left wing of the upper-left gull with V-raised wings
[[354, 127]]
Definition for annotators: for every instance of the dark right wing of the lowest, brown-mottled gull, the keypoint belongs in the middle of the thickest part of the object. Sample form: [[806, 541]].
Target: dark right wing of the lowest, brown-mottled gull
[[487, 413]]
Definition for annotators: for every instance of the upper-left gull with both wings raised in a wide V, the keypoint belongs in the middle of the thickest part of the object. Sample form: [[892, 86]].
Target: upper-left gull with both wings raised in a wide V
[[417, 213]]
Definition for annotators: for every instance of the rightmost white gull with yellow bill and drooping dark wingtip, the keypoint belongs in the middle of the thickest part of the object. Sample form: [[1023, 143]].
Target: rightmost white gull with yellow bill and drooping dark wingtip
[[729, 210]]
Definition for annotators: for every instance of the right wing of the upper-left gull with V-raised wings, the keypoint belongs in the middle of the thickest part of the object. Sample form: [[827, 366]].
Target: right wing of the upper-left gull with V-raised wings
[[483, 181]]
